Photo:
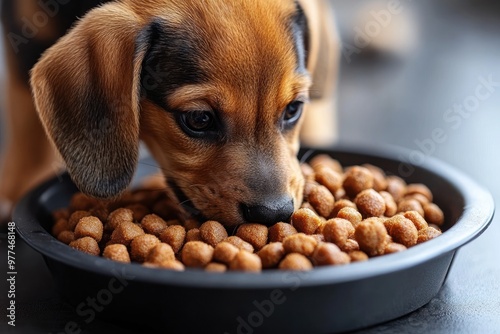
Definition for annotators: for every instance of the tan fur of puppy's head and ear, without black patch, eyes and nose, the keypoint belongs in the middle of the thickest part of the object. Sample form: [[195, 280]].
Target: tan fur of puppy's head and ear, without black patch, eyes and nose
[[253, 77]]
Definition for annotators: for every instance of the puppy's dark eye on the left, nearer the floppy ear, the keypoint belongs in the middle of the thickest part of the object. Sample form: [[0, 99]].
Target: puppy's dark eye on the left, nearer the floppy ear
[[198, 123]]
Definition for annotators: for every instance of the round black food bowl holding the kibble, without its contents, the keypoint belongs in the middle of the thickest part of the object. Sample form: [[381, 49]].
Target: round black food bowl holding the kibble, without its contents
[[324, 300]]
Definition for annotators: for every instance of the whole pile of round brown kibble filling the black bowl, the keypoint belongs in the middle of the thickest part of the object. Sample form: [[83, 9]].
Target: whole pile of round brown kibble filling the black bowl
[[349, 214]]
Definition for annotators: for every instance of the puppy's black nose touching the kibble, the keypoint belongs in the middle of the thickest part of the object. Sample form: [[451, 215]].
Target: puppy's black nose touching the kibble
[[269, 211]]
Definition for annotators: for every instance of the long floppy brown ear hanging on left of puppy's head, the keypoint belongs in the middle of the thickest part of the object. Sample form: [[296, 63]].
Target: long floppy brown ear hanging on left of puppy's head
[[86, 90]]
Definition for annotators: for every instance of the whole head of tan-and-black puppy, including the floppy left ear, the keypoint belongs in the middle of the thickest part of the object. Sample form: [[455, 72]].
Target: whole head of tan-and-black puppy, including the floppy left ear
[[214, 88]]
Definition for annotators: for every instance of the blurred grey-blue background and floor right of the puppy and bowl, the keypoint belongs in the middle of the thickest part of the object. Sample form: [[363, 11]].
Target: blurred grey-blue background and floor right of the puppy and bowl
[[425, 75]]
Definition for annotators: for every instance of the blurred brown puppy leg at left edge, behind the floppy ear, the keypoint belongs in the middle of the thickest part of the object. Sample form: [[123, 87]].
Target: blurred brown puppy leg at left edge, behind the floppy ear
[[27, 156]]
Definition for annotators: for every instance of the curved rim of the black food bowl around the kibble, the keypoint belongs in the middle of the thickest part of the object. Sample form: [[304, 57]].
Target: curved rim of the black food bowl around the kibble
[[476, 216]]
